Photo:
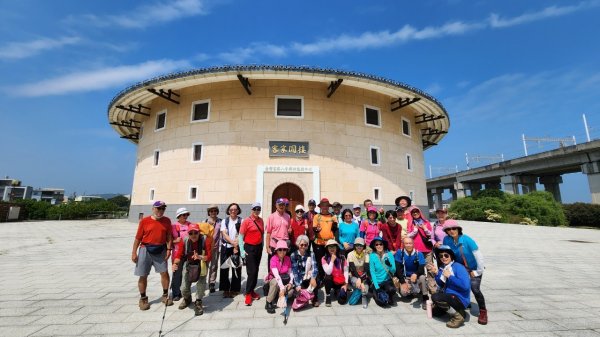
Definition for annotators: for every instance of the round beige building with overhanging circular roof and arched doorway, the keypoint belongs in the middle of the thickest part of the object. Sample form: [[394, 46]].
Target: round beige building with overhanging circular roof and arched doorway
[[246, 134]]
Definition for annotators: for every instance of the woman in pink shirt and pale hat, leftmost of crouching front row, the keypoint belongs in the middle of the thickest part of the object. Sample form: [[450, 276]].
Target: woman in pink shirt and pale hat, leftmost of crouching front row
[[280, 275]]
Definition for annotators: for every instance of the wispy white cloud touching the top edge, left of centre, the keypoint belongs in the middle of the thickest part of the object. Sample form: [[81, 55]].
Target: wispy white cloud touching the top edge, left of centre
[[146, 15]]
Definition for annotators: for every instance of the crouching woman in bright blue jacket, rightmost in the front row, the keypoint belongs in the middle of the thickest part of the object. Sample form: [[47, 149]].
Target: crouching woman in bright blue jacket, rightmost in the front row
[[453, 281]]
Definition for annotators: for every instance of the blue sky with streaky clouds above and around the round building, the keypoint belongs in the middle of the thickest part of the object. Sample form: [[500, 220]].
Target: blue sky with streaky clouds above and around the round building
[[501, 69]]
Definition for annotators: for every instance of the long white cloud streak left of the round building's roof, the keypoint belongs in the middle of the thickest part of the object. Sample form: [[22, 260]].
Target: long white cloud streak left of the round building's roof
[[98, 79]]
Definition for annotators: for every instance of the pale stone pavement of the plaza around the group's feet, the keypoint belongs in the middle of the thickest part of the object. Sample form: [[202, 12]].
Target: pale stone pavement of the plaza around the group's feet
[[75, 278]]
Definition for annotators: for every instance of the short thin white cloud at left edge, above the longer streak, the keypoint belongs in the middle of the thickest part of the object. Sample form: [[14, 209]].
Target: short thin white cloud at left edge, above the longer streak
[[20, 50]]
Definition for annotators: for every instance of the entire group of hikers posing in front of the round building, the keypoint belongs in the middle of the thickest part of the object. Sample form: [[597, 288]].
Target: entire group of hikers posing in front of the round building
[[354, 254]]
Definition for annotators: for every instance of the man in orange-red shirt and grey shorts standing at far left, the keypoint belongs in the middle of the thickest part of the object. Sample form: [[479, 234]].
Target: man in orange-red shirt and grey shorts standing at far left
[[154, 241]]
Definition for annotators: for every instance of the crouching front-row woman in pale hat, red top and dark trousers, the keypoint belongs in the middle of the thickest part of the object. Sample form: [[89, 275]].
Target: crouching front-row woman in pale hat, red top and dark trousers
[[335, 267]]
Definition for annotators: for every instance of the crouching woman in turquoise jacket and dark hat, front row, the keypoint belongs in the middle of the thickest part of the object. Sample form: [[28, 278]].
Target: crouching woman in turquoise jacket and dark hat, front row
[[382, 268]]
